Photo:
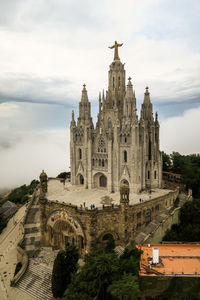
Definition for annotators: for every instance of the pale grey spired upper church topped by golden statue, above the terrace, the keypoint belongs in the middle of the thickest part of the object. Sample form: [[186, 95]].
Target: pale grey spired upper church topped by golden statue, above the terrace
[[121, 149]]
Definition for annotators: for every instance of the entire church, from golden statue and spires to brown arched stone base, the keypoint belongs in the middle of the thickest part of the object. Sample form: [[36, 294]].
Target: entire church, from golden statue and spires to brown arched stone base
[[116, 172]]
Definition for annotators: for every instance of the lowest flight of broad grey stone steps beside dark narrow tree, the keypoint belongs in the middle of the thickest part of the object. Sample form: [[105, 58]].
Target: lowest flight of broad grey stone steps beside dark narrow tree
[[36, 281]]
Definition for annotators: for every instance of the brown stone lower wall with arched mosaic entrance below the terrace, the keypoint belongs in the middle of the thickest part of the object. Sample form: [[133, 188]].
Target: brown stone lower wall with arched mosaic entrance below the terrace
[[90, 227]]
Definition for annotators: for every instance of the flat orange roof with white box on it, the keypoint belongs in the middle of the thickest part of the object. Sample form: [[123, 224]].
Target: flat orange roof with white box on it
[[174, 260]]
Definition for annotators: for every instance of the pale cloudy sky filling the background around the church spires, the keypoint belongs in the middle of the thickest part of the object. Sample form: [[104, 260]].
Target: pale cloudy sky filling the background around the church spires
[[49, 48]]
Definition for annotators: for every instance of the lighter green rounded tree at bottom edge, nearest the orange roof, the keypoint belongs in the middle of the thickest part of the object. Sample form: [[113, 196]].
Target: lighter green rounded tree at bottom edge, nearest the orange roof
[[127, 288]]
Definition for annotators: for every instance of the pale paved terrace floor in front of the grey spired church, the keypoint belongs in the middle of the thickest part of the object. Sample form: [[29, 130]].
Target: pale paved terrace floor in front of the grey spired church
[[77, 195]]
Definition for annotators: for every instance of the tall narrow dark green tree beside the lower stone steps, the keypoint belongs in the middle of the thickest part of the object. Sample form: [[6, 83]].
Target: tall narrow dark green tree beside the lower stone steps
[[64, 266]]
